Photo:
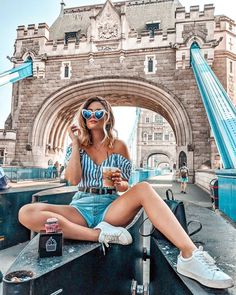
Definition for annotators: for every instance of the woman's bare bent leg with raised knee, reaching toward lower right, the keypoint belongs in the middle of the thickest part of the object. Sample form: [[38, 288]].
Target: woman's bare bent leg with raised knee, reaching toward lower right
[[124, 208]]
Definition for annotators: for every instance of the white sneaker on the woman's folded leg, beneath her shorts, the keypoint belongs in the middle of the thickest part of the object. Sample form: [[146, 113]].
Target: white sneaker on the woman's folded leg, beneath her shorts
[[113, 234]]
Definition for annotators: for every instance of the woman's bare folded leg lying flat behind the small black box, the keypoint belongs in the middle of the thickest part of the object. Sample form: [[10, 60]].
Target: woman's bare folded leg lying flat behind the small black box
[[73, 225]]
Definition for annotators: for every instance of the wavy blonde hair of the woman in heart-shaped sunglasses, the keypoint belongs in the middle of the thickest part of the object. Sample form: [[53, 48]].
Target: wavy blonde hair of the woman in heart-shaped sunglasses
[[108, 126]]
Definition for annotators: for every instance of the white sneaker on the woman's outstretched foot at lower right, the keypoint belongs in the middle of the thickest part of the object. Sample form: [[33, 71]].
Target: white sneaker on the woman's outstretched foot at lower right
[[201, 267]]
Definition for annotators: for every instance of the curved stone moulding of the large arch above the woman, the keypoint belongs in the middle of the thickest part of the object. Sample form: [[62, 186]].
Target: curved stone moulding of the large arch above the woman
[[59, 109]]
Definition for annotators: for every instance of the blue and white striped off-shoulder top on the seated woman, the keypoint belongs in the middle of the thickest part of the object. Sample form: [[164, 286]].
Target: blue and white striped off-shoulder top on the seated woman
[[92, 173]]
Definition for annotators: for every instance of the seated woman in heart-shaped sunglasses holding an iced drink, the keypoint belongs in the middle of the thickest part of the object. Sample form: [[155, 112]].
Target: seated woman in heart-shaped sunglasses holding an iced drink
[[100, 214]]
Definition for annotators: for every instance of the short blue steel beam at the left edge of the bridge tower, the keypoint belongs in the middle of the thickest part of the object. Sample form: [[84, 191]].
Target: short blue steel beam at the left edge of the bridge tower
[[17, 73]]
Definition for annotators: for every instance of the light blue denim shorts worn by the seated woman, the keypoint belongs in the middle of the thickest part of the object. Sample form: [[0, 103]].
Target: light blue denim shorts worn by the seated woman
[[92, 207]]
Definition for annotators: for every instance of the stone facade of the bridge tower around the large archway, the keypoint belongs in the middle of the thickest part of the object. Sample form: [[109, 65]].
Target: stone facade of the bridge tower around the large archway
[[134, 53]]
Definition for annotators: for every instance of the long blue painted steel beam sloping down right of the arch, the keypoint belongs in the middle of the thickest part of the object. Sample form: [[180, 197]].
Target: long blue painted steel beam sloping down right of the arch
[[220, 110]]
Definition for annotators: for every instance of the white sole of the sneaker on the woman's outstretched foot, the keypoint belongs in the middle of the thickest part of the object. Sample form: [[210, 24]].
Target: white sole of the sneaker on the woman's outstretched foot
[[206, 282]]
